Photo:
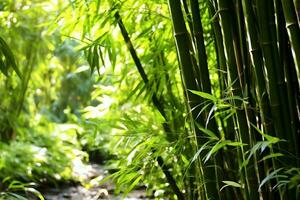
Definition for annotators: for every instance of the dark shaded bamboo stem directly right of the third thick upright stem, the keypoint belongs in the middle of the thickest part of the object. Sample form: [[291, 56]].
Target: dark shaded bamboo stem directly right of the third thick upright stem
[[247, 79]]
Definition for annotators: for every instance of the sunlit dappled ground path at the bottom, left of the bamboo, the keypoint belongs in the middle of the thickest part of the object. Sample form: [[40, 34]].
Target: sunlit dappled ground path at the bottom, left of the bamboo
[[93, 191]]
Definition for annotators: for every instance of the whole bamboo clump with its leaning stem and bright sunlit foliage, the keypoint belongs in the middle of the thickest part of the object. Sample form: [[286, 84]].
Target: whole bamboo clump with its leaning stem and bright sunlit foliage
[[220, 83]]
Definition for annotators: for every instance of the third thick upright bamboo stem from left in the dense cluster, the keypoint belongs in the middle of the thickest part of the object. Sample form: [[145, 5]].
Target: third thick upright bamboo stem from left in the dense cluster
[[234, 68]]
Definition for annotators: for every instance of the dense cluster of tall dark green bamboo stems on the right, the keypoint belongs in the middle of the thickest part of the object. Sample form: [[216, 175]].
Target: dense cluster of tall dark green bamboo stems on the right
[[256, 43]]
